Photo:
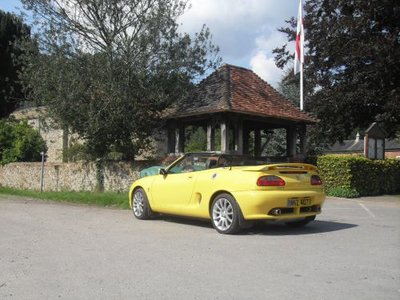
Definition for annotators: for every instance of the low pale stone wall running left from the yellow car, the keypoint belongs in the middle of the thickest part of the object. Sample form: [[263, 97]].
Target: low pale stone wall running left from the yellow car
[[70, 176]]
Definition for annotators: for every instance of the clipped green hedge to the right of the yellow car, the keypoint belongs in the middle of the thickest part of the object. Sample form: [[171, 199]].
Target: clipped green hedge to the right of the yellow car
[[352, 176]]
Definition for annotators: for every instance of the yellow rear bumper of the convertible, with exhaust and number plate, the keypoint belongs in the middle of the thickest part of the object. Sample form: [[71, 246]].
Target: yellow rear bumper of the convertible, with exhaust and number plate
[[279, 205]]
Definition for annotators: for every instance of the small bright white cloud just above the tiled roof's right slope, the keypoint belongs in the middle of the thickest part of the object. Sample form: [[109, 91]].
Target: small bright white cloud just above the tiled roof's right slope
[[265, 67]]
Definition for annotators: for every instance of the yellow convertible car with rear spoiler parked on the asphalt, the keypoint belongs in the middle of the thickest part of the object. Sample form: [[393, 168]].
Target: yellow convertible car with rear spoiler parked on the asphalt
[[230, 190]]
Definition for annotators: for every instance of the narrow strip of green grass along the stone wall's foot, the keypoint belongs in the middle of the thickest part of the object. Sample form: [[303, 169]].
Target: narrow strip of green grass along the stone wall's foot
[[107, 199]]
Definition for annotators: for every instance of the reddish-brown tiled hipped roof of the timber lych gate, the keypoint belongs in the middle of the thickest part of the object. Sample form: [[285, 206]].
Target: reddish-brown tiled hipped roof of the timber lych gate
[[236, 89]]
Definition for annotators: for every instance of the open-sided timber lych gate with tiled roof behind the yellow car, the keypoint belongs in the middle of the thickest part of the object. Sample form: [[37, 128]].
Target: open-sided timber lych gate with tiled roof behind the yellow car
[[241, 106]]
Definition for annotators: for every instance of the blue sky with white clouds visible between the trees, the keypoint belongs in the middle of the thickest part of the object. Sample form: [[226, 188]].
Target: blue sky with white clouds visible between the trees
[[245, 30]]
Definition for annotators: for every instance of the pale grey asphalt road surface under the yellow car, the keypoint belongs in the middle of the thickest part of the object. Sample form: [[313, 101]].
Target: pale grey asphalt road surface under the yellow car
[[60, 251]]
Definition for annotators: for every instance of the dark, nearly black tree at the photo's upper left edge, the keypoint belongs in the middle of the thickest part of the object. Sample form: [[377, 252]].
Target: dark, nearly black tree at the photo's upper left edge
[[12, 29]]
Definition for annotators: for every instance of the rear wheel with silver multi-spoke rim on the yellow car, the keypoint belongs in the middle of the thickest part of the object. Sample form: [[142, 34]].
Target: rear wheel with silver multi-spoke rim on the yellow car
[[225, 214]]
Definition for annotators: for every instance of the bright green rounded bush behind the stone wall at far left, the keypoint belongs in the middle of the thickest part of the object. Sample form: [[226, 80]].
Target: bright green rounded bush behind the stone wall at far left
[[19, 142]]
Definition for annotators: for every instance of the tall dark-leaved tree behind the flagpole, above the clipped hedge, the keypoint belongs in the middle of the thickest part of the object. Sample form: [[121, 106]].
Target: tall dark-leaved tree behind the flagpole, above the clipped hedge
[[352, 73]]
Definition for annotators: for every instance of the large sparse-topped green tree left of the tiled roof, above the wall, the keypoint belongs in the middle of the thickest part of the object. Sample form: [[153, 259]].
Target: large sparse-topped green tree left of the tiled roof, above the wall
[[107, 69]]
